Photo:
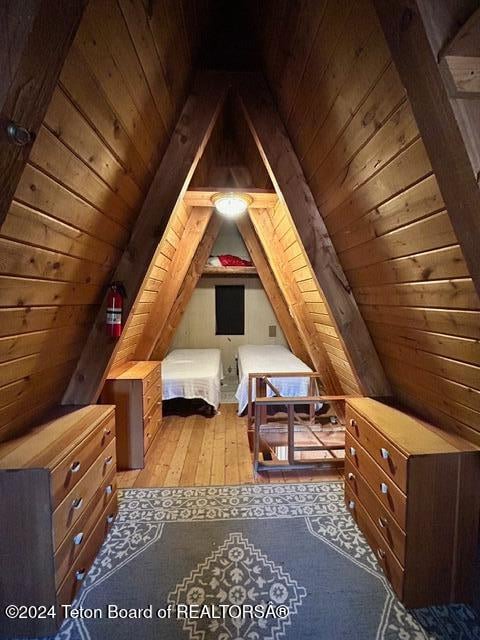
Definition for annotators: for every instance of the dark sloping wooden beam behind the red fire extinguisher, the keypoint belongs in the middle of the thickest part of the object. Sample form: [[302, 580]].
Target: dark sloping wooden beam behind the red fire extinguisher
[[176, 168]]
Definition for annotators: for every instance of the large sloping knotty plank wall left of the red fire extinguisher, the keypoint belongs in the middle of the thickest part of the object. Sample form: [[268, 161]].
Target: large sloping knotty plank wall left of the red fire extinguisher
[[120, 92]]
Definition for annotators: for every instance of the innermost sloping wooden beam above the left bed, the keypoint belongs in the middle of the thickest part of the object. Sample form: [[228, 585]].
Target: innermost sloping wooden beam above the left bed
[[191, 237]]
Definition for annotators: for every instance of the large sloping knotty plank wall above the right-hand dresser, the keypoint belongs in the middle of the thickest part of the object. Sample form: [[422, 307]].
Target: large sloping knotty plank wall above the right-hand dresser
[[351, 124]]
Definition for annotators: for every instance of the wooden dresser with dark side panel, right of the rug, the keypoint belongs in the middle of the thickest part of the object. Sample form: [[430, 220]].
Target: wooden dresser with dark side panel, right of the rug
[[414, 492]]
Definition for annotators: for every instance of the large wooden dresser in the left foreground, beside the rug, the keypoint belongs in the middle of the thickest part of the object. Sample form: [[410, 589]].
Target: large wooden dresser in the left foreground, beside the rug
[[57, 502]]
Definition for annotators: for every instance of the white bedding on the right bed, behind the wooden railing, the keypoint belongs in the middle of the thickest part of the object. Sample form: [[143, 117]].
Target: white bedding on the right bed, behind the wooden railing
[[274, 358]]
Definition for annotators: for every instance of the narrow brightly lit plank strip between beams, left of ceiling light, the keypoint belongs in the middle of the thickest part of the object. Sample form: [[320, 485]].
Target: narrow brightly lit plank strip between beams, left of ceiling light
[[157, 275]]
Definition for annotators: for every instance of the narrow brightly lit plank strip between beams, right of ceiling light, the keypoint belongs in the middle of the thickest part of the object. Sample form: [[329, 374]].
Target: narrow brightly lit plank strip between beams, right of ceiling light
[[296, 260]]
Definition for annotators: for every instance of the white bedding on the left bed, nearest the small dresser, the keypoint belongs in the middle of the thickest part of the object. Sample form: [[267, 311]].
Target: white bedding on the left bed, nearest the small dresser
[[193, 373]]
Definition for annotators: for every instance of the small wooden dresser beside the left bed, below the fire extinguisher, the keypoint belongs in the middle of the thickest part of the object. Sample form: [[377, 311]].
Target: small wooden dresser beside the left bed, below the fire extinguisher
[[135, 388]]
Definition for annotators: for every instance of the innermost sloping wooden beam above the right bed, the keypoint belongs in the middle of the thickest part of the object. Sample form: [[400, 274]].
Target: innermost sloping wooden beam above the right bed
[[272, 289]]
